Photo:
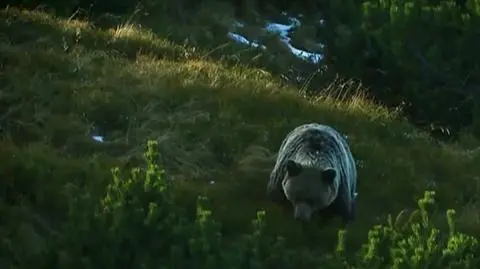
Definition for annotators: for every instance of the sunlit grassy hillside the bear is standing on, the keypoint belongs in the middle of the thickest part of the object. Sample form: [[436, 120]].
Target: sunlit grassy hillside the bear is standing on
[[59, 79]]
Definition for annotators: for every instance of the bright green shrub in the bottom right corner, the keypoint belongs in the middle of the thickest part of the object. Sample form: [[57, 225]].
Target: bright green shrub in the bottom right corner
[[417, 243]]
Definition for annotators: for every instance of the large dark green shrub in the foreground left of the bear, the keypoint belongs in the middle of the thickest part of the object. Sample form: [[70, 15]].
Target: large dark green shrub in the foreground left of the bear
[[137, 225]]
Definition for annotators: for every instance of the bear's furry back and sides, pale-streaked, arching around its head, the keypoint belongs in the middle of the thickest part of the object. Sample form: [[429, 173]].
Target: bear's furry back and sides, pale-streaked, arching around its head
[[317, 145]]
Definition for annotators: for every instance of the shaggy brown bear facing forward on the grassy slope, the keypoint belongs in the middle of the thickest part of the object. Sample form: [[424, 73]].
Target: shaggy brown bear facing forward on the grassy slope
[[315, 171]]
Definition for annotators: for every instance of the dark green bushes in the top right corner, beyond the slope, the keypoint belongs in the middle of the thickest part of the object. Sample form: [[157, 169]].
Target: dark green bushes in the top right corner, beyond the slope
[[421, 55]]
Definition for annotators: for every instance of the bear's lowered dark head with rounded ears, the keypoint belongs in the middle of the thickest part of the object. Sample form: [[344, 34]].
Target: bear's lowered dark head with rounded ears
[[309, 188]]
